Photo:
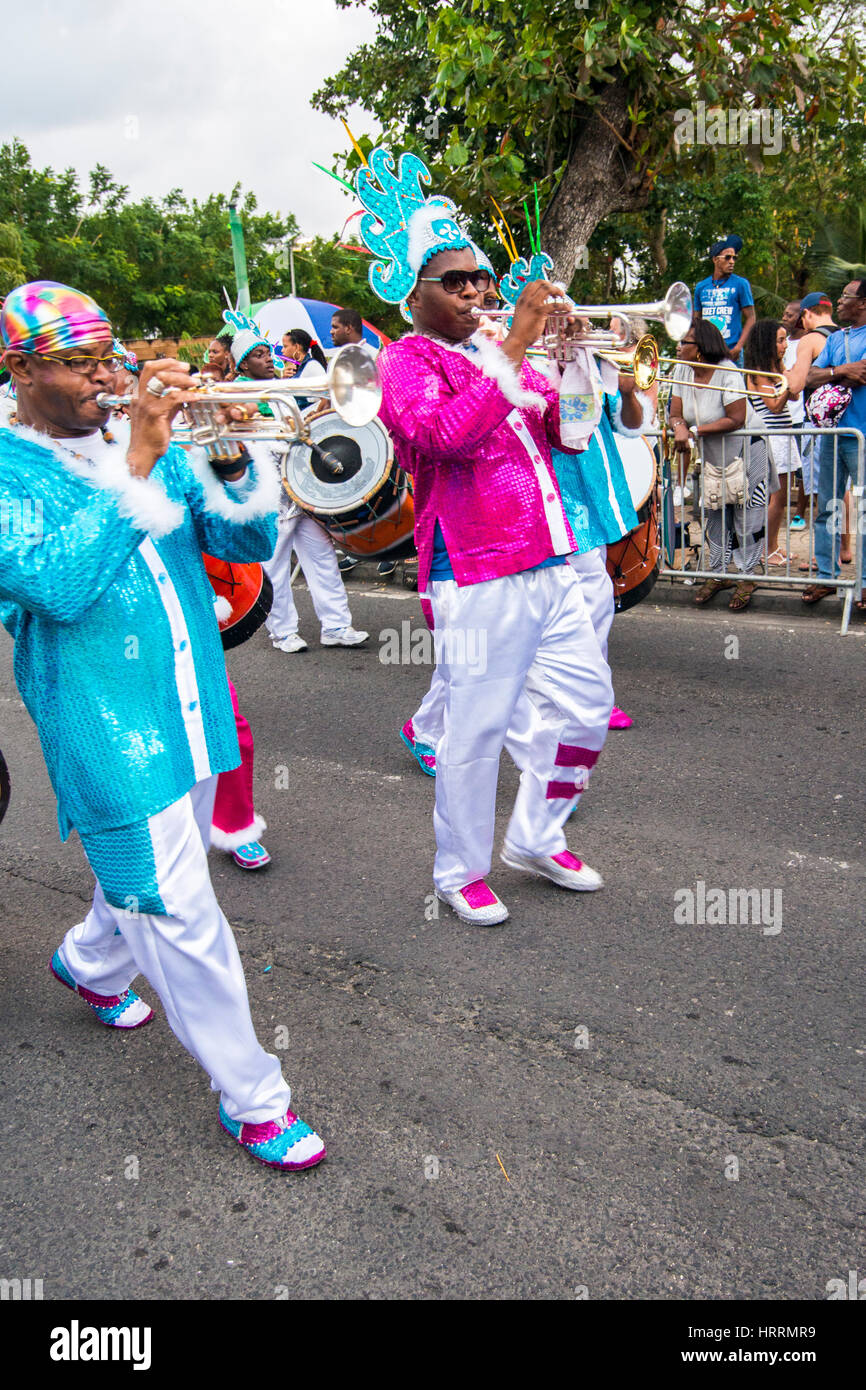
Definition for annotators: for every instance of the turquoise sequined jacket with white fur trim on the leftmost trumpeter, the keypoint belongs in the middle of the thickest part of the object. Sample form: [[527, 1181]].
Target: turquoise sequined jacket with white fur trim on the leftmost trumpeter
[[117, 655]]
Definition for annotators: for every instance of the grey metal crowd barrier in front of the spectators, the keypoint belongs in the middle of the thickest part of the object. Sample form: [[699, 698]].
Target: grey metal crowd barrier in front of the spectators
[[692, 516]]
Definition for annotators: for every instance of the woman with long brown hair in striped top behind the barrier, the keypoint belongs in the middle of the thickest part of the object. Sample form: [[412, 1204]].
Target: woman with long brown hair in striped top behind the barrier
[[765, 352]]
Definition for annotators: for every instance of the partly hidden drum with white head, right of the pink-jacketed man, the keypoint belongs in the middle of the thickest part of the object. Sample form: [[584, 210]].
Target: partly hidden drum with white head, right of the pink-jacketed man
[[635, 562]]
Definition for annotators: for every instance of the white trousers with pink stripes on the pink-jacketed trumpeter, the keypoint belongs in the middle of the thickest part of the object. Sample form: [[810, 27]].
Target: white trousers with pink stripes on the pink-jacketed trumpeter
[[532, 633]]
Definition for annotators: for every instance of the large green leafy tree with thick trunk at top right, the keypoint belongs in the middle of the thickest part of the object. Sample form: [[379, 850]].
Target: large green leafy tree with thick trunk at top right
[[594, 102]]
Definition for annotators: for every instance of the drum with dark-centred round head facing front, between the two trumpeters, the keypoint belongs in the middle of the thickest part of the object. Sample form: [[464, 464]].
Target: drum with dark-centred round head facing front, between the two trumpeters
[[369, 508]]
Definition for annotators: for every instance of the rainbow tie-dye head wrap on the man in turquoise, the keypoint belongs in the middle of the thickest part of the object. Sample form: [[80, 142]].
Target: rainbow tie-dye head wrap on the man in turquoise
[[47, 318]]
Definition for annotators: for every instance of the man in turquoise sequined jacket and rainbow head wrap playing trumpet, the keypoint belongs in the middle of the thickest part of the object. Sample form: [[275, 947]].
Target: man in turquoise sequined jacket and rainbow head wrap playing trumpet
[[120, 664]]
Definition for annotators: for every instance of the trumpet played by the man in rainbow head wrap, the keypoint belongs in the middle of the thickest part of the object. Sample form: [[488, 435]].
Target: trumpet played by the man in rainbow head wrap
[[352, 386]]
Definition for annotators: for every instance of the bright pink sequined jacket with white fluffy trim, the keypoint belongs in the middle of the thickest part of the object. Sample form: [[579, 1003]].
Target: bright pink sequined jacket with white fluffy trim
[[476, 440]]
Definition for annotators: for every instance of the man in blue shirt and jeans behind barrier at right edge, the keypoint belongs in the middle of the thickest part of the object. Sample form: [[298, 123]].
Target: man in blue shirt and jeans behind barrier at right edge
[[842, 361]]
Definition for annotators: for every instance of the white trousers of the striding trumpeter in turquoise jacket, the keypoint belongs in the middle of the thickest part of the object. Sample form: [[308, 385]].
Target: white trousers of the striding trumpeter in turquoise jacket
[[188, 956]]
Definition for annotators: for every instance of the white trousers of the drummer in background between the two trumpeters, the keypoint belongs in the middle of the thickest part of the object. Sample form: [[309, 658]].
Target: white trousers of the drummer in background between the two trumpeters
[[315, 550]]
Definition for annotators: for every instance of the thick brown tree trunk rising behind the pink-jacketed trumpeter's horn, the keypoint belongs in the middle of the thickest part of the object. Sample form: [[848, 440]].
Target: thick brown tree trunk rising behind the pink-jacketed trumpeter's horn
[[601, 179]]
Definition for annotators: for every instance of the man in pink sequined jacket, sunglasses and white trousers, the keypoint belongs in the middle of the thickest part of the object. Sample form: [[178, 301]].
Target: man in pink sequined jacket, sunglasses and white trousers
[[473, 425]]
